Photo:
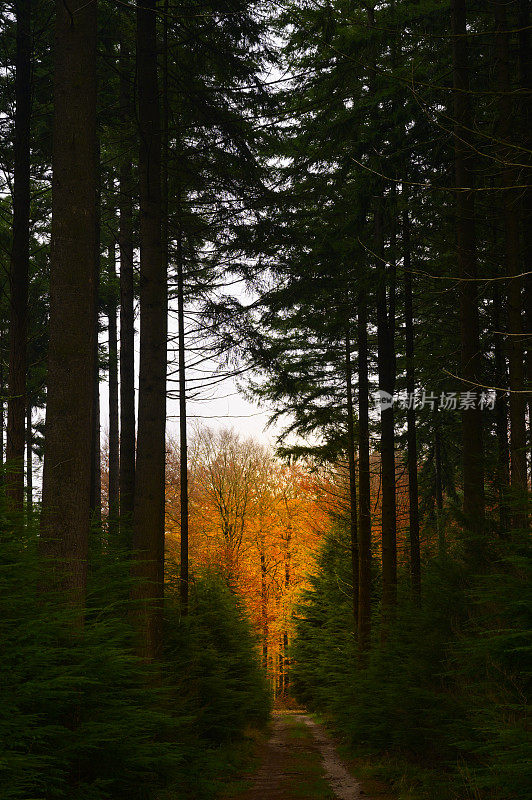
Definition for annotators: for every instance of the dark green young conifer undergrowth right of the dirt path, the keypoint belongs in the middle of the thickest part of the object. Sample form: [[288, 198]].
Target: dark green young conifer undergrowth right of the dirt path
[[439, 708]]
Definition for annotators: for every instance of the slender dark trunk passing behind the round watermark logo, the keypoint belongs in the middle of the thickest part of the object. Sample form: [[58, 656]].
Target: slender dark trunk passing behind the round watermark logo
[[386, 384]]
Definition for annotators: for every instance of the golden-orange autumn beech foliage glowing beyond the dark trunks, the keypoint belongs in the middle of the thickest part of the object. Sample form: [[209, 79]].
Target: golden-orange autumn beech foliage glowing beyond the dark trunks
[[259, 523]]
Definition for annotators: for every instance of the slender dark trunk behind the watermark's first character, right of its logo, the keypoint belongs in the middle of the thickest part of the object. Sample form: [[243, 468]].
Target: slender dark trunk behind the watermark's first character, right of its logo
[[411, 433]]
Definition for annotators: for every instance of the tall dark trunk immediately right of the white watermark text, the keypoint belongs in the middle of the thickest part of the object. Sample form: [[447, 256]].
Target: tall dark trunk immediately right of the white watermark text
[[511, 204]]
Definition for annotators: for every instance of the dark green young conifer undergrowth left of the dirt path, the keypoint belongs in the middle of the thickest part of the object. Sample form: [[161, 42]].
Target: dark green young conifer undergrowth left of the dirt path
[[81, 716]]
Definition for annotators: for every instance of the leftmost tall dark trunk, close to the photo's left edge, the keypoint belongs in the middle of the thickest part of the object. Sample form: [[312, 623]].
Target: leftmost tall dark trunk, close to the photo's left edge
[[19, 266]]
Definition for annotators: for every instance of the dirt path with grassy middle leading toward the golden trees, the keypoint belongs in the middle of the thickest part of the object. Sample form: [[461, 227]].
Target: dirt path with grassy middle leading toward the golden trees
[[299, 761]]
